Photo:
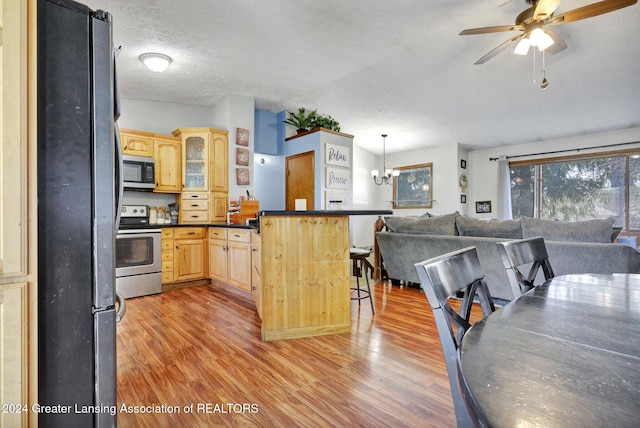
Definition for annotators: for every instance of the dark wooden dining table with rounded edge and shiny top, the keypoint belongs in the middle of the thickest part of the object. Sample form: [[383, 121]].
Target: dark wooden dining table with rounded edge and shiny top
[[567, 353]]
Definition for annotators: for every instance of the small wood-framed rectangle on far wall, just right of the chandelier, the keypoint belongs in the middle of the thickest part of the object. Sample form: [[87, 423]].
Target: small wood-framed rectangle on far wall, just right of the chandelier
[[413, 188]]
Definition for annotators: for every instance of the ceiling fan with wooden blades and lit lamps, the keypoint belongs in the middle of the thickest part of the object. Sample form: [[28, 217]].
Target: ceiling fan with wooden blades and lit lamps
[[533, 22]]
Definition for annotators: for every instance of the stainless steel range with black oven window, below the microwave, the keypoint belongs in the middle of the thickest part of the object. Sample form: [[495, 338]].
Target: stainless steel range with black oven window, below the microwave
[[138, 253]]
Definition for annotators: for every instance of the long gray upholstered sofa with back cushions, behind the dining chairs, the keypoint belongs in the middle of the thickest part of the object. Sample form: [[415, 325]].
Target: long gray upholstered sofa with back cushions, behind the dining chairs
[[573, 247]]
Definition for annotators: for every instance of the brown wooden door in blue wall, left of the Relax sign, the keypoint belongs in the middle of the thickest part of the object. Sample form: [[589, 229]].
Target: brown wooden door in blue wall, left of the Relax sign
[[300, 179]]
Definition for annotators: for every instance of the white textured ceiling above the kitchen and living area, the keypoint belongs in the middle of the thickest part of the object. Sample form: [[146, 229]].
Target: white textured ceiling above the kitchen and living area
[[378, 66]]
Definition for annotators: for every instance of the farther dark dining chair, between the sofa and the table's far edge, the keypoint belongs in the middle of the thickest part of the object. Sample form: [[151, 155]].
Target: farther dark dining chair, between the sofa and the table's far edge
[[521, 253]]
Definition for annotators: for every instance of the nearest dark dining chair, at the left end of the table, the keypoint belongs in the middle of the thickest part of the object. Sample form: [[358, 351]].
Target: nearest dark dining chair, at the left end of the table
[[443, 278]]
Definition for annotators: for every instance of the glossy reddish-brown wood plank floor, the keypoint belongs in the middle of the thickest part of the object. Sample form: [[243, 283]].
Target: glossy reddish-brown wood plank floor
[[201, 347]]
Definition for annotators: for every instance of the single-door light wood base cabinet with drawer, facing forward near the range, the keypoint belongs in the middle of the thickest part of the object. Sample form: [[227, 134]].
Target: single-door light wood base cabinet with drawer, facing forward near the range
[[189, 253]]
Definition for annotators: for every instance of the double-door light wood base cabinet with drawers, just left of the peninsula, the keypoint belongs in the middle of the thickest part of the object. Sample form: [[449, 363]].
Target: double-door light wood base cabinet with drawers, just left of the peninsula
[[230, 256]]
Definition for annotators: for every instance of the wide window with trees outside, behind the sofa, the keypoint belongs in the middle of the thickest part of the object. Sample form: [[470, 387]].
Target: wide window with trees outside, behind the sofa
[[579, 188]]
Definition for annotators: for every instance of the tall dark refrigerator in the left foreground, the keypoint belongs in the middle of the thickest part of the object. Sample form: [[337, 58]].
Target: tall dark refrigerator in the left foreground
[[76, 216]]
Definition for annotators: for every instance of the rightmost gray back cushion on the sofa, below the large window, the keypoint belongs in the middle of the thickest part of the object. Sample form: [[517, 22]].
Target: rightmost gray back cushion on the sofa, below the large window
[[597, 230]]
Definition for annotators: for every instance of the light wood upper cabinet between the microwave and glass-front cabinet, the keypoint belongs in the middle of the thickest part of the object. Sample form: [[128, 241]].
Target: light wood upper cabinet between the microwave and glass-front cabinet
[[168, 156]]
